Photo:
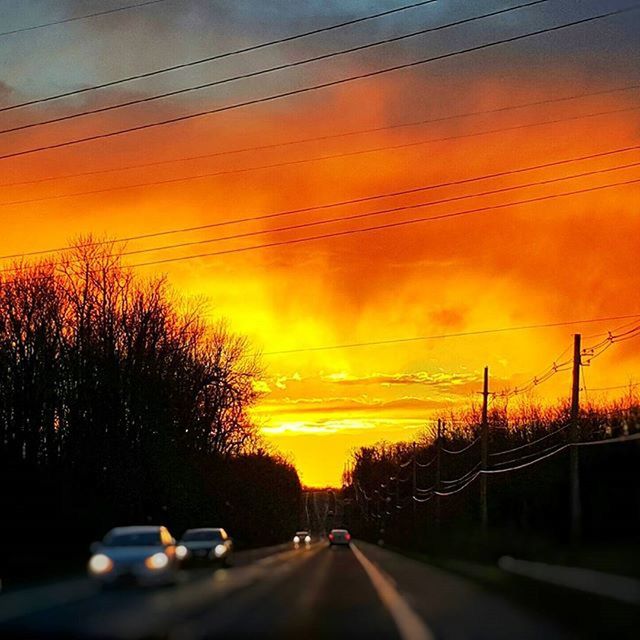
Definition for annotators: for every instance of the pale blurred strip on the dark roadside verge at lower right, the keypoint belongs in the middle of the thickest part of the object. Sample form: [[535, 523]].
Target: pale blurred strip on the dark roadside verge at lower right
[[619, 588]]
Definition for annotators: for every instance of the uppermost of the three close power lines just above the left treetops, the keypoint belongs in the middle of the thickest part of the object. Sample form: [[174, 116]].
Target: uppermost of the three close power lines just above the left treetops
[[330, 205]]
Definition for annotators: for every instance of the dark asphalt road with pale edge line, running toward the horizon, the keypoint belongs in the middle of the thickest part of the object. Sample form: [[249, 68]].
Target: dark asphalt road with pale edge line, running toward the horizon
[[307, 593]]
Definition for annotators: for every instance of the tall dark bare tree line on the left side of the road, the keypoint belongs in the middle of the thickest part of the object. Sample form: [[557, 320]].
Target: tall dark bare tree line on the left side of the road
[[120, 404]]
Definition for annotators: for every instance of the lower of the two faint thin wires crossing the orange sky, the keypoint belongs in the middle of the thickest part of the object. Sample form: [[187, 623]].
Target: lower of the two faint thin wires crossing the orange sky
[[288, 163]]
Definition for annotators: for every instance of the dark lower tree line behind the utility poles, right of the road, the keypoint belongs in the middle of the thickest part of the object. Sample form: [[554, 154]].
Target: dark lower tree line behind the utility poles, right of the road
[[528, 508]]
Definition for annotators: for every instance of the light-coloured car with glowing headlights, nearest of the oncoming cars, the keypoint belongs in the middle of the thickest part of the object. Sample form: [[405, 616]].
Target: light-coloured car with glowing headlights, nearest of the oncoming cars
[[144, 555]]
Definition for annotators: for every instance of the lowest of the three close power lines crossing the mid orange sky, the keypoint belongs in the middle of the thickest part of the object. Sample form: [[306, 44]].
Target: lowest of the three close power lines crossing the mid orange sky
[[389, 225]]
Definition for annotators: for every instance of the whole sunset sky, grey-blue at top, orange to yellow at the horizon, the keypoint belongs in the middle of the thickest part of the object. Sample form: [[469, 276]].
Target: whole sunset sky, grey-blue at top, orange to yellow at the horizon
[[559, 259]]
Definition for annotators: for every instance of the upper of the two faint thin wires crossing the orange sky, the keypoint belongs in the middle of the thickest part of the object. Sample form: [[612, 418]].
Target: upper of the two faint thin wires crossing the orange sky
[[276, 145]]
